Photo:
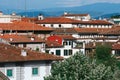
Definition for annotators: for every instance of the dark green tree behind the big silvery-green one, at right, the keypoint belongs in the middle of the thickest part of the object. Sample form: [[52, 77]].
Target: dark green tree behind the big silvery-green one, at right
[[104, 56]]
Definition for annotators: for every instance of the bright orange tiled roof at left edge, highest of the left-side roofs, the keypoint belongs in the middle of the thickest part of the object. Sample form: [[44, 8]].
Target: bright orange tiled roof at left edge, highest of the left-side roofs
[[23, 26]]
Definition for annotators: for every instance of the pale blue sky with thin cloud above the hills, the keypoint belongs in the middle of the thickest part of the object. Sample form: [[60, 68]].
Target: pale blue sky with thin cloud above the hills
[[41, 4]]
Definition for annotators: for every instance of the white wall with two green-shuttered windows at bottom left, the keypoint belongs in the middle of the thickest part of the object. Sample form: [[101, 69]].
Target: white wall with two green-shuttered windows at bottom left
[[27, 70]]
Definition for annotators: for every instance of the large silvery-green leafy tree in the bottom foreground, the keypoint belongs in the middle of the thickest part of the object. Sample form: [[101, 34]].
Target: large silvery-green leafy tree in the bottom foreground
[[80, 67]]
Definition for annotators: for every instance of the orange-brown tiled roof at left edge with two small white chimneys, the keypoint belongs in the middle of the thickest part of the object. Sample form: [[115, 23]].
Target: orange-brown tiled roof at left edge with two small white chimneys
[[15, 38]]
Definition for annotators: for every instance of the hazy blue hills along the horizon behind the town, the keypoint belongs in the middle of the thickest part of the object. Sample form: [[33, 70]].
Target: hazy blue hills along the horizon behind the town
[[95, 10]]
